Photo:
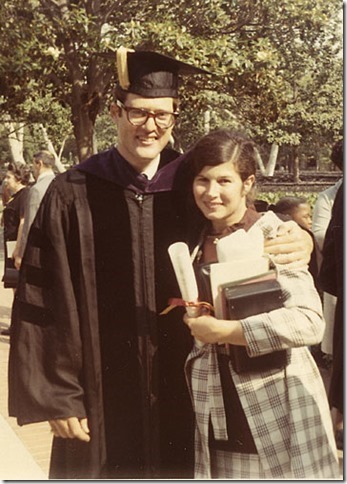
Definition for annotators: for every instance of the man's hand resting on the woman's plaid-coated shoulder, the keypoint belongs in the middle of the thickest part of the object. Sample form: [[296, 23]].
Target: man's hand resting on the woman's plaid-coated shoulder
[[292, 246]]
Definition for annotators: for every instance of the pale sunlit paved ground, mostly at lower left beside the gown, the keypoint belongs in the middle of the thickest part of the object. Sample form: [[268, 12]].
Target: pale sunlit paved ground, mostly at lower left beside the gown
[[25, 451]]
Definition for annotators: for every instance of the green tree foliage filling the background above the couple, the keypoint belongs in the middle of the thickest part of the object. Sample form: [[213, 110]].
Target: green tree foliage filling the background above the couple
[[277, 70]]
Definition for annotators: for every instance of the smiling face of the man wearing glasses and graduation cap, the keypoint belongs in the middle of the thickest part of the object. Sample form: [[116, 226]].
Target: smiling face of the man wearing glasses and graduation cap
[[139, 145]]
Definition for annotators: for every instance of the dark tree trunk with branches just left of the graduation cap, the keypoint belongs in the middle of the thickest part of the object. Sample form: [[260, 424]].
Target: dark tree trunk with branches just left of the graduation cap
[[90, 81]]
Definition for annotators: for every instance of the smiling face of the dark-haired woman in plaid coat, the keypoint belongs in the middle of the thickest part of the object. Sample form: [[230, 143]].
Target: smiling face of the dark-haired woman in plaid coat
[[220, 194]]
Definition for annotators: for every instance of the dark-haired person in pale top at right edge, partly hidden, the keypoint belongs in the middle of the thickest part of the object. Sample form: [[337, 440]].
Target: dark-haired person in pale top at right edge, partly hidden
[[320, 220]]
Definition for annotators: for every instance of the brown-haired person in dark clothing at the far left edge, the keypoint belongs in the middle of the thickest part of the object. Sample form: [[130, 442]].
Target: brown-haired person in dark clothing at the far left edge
[[16, 181]]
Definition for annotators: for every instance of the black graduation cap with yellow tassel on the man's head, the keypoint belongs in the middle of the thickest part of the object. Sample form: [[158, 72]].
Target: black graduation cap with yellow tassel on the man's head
[[150, 74]]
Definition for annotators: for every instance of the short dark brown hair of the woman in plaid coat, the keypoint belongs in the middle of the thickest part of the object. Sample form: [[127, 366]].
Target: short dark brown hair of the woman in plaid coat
[[222, 146]]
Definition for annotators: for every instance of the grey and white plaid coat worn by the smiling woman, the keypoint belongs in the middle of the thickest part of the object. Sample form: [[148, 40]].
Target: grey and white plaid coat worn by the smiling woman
[[287, 410]]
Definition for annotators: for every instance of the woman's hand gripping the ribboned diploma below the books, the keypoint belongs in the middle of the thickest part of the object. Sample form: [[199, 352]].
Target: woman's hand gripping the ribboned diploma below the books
[[208, 329]]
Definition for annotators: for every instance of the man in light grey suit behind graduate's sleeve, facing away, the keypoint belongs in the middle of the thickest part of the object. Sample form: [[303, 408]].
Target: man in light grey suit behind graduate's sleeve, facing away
[[43, 170]]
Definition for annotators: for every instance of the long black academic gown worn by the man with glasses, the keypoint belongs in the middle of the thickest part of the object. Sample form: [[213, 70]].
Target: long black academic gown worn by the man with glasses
[[86, 337]]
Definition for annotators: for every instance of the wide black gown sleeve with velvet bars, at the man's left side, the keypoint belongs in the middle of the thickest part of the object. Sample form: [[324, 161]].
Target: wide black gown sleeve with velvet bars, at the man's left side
[[45, 364]]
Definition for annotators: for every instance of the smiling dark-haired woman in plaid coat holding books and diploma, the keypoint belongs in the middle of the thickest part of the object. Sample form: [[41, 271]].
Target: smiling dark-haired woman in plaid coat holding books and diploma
[[270, 423]]
